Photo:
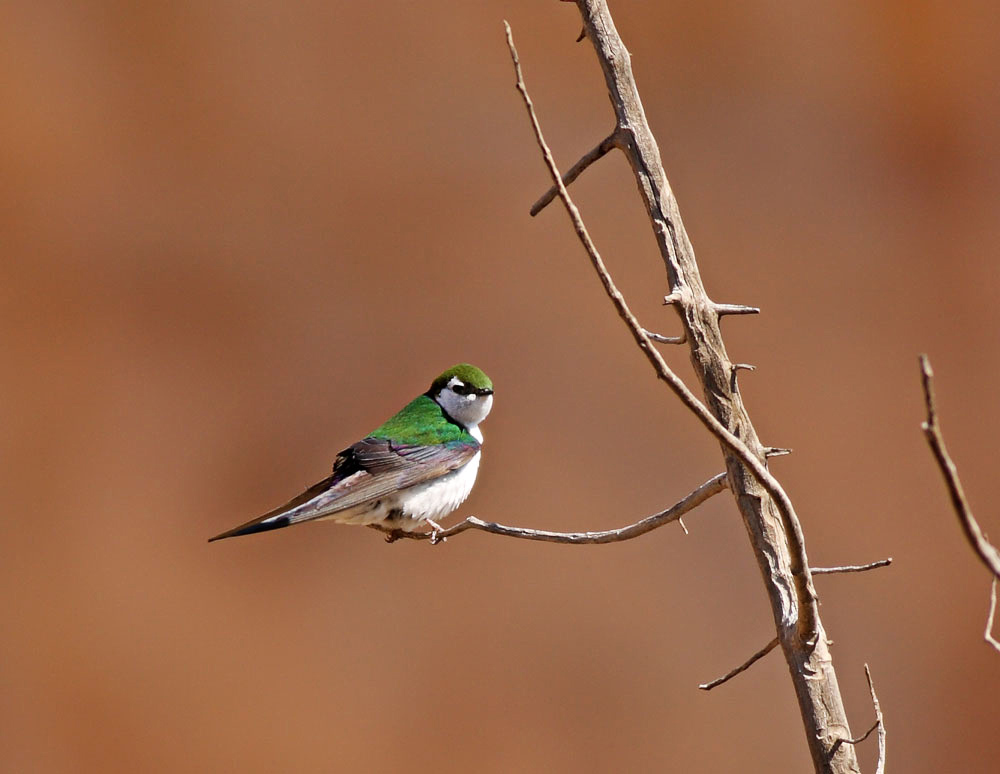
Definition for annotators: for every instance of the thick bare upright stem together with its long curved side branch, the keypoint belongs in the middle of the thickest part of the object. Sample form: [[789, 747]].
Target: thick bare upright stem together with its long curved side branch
[[770, 519]]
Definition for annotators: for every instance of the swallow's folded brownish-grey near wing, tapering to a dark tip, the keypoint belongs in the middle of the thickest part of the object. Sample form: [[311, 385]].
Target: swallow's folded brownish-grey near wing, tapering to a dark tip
[[370, 469]]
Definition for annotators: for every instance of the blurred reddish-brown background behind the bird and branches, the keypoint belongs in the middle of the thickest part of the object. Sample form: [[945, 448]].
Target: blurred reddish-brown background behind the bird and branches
[[236, 236]]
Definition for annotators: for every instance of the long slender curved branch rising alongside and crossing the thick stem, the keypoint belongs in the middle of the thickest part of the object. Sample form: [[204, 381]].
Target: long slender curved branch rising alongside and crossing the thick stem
[[804, 620]]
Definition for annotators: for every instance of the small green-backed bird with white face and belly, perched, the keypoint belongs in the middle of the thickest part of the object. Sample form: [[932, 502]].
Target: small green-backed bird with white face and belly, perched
[[418, 466]]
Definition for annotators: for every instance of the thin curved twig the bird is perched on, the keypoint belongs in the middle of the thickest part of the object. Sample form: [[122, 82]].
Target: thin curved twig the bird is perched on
[[710, 488]]
